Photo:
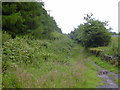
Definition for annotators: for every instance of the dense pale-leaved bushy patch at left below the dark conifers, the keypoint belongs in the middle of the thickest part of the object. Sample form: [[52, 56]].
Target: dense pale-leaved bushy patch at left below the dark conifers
[[25, 51]]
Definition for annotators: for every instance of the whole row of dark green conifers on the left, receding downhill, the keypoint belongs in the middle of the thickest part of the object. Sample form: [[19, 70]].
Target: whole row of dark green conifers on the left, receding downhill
[[20, 18]]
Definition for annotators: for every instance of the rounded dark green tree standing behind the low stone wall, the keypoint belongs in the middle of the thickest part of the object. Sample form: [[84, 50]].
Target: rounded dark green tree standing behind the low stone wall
[[92, 34]]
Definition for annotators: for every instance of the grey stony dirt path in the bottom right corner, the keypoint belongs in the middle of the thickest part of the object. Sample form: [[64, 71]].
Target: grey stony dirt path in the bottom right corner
[[108, 79]]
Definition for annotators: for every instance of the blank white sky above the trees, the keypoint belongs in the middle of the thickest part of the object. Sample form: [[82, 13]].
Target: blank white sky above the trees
[[68, 14]]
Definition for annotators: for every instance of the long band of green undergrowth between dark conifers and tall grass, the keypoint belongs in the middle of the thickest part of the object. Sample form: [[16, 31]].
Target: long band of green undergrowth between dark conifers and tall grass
[[33, 52]]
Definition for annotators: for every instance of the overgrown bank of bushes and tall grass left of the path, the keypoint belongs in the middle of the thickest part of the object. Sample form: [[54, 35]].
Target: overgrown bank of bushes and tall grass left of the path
[[57, 63]]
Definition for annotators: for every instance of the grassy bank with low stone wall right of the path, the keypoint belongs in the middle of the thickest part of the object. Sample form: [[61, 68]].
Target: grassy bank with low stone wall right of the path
[[108, 53]]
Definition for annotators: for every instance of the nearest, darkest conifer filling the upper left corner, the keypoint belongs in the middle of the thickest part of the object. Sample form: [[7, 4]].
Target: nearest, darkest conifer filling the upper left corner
[[19, 17]]
